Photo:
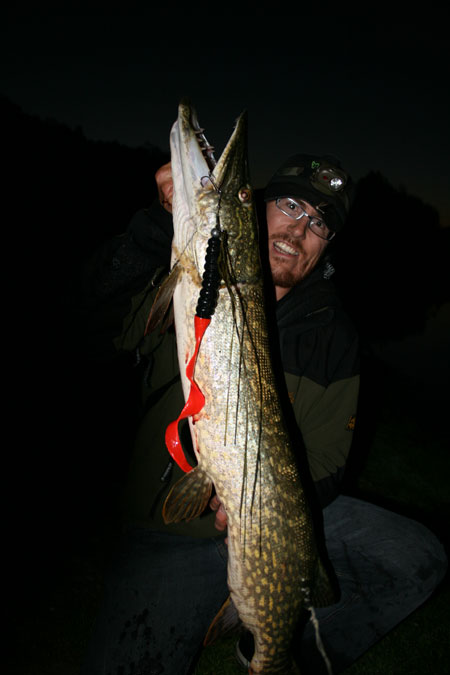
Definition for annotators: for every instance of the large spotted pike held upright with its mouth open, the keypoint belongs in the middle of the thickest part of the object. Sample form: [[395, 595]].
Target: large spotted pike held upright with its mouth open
[[240, 439]]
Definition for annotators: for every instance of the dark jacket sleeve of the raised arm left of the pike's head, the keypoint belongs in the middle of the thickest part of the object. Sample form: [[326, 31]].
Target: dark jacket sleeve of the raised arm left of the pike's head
[[118, 271]]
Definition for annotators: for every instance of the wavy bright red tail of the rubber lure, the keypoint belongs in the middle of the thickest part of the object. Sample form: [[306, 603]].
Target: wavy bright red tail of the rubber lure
[[194, 403]]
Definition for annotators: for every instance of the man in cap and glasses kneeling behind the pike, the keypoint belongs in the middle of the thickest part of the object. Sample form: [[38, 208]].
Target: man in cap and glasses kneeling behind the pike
[[167, 582]]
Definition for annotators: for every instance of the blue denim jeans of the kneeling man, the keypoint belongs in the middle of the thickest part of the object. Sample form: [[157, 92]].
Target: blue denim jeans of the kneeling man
[[162, 591]]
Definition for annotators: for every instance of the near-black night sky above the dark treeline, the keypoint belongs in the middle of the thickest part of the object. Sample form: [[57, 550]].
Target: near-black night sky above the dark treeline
[[363, 87]]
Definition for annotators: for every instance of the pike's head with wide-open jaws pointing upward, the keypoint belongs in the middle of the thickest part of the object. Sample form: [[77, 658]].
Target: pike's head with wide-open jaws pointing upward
[[213, 195]]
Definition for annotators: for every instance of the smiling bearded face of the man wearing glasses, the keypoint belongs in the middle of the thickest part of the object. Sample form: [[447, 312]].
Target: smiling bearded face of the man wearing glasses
[[294, 250]]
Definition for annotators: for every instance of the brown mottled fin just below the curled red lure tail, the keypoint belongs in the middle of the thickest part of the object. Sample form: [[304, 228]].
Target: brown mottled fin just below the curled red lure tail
[[188, 498]]
